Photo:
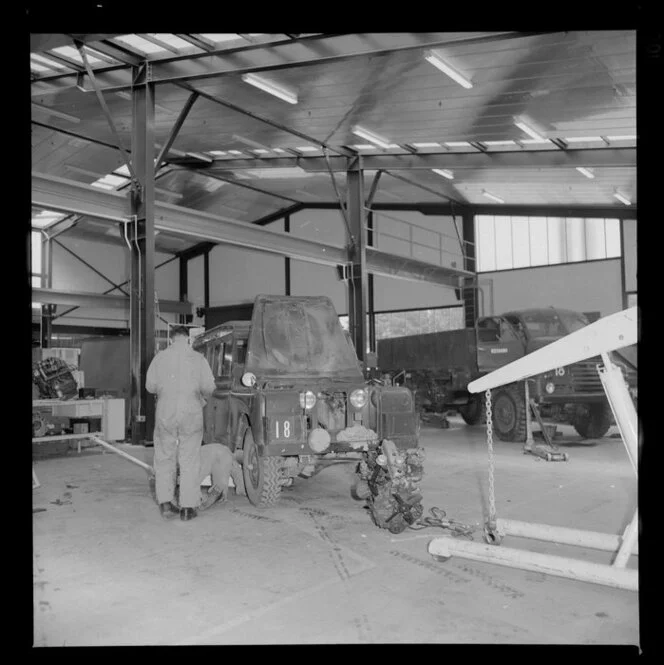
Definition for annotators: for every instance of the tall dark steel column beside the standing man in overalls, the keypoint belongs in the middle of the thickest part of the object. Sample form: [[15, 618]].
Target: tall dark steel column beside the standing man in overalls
[[142, 311]]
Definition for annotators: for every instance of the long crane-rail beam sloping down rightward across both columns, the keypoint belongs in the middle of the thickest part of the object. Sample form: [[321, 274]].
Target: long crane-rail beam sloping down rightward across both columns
[[59, 194]]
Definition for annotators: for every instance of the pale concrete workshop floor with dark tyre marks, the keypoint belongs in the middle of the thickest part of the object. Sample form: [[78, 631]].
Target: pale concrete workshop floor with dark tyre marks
[[109, 571]]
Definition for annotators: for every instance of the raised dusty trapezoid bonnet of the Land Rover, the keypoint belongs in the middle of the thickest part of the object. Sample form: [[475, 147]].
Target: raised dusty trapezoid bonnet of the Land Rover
[[292, 336]]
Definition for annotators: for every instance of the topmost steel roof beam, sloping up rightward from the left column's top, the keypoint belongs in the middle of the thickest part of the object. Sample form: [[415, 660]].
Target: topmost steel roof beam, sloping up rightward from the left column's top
[[272, 56]]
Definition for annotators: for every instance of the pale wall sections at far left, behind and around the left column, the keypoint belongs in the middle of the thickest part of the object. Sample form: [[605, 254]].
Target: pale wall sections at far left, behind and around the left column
[[69, 274]]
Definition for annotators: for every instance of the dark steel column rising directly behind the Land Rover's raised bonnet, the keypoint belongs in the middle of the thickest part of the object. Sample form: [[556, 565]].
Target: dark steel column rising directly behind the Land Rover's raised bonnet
[[357, 281]]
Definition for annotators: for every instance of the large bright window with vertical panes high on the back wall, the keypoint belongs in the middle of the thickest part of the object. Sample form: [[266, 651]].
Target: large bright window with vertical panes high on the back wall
[[505, 243]]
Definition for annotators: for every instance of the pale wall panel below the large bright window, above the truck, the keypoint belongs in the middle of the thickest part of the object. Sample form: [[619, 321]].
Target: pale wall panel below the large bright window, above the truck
[[584, 287]]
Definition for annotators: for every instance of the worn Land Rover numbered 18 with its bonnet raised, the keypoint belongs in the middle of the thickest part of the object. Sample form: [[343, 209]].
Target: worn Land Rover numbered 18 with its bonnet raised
[[291, 396]]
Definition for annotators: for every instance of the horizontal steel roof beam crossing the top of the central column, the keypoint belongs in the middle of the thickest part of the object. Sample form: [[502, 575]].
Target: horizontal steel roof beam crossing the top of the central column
[[592, 157]]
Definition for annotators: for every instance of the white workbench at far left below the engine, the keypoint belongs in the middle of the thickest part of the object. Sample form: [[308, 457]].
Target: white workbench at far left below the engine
[[110, 410]]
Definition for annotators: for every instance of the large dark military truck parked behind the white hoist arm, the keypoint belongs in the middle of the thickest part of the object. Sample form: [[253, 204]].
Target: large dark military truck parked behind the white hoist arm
[[439, 366]]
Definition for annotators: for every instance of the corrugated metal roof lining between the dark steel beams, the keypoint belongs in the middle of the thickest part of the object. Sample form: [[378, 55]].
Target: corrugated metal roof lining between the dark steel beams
[[578, 88]]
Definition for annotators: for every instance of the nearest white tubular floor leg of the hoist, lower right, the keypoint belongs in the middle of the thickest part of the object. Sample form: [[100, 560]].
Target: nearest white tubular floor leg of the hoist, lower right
[[583, 571]]
